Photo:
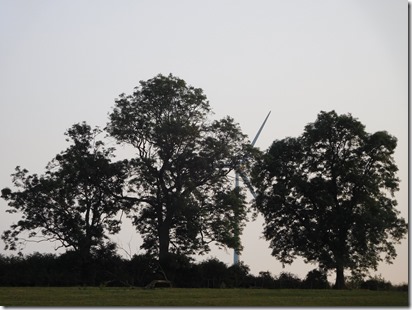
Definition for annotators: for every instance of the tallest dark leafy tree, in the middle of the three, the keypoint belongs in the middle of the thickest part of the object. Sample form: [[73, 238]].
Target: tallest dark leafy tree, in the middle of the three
[[179, 178]]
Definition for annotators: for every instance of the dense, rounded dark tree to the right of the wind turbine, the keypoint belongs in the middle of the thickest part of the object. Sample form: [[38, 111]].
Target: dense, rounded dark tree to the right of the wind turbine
[[328, 196]]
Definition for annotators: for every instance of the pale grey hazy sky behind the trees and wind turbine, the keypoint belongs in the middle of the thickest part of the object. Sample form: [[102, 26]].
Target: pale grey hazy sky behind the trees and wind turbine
[[64, 62]]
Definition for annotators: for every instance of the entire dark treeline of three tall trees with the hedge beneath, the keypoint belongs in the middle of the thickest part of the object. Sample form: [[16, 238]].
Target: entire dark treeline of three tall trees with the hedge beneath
[[323, 195]]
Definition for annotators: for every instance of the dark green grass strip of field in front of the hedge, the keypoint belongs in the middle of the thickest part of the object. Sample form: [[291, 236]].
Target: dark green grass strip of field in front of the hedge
[[93, 296]]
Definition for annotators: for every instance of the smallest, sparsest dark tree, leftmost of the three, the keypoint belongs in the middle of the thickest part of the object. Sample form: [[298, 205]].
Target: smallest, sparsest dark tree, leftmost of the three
[[71, 203]]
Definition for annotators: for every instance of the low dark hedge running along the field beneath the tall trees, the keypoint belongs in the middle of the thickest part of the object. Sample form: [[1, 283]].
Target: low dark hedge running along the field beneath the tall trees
[[109, 269]]
